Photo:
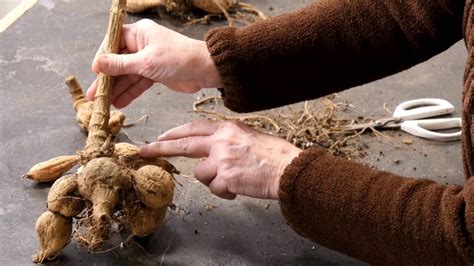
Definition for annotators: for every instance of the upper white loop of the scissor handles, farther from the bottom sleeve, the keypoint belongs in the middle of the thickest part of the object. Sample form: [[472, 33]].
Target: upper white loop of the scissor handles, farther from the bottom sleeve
[[422, 108]]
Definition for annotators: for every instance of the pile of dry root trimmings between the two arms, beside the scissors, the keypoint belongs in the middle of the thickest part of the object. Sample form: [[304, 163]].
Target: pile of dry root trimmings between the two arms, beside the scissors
[[305, 127]]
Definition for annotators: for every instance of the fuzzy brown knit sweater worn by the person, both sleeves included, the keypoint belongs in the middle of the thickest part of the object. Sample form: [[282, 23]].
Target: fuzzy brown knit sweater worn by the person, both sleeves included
[[331, 45]]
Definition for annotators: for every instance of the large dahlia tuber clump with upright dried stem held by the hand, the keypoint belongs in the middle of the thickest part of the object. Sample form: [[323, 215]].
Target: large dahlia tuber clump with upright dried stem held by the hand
[[114, 189]]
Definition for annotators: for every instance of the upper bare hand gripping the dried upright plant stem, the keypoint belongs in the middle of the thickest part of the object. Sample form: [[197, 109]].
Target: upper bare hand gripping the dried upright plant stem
[[152, 53]]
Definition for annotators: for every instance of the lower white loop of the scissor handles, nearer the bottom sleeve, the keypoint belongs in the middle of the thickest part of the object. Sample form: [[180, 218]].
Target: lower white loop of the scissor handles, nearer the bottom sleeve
[[423, 128]]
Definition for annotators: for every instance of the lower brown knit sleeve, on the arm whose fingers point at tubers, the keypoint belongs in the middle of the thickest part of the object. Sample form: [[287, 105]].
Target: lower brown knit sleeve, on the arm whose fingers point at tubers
[[376, 216]]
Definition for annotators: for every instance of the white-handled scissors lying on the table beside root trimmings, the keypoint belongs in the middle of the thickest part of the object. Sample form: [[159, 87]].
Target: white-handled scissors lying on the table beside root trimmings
[[409, 117]]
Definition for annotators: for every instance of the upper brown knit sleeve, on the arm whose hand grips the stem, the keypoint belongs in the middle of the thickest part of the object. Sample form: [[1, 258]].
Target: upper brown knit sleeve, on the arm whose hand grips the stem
[[327, 47]]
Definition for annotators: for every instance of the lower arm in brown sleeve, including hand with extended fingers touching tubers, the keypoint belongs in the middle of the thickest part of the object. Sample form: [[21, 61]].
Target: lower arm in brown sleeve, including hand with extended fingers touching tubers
[[375, 216]]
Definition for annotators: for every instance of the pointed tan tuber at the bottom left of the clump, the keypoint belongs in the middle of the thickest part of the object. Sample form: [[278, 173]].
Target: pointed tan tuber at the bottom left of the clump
[[54, 233]]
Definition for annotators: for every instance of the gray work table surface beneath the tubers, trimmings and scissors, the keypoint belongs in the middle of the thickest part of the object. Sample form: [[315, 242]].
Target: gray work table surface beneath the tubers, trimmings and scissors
[[58, 38]]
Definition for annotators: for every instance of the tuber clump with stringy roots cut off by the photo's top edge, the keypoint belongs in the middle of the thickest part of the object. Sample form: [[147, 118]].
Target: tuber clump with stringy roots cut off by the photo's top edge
[[184, 8]]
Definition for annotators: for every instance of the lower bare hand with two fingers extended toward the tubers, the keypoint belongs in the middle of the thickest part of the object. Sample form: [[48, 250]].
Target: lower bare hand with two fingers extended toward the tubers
[[238, 159]]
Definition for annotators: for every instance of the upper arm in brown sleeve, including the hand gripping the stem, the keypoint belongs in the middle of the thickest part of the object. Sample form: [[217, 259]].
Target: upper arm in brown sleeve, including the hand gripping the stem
[[326, 47]]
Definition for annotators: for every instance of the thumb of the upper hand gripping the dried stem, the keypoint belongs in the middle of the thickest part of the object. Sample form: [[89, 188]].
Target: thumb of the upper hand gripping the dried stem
[[117, 64]]
